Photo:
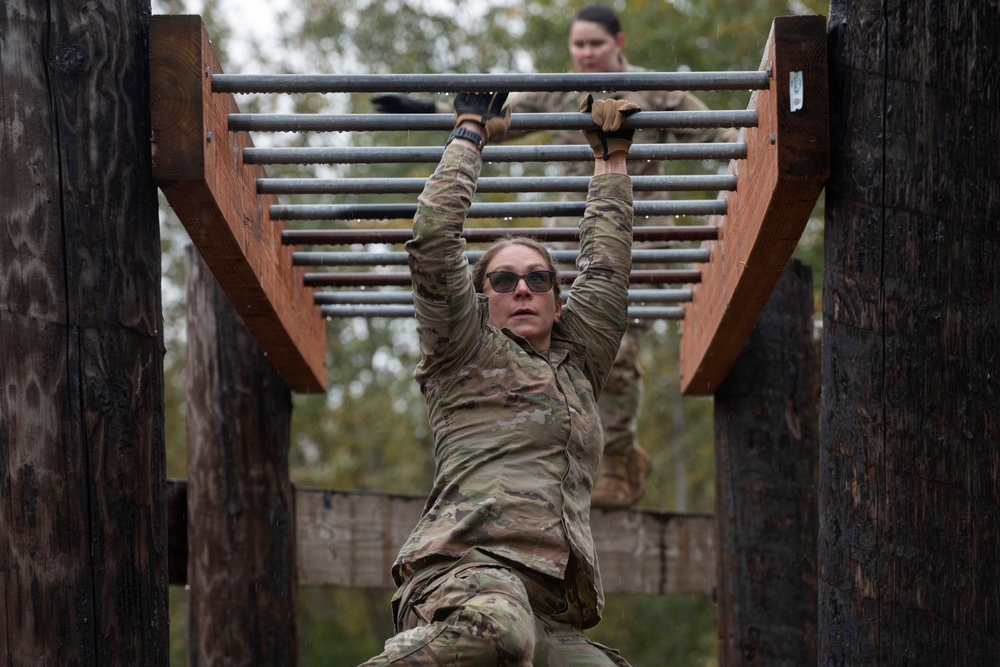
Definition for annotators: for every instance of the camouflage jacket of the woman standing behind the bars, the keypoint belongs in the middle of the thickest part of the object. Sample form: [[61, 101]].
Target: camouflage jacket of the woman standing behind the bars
[[648, 100]]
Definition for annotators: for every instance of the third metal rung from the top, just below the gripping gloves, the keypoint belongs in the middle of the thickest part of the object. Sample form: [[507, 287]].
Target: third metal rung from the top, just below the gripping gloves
[[533, 153]]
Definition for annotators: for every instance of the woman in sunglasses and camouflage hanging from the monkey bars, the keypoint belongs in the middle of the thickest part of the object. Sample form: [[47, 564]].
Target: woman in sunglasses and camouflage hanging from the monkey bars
[[501, 567]]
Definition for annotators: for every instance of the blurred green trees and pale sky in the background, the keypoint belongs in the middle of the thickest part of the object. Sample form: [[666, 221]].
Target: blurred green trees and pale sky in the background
[[370, 430]]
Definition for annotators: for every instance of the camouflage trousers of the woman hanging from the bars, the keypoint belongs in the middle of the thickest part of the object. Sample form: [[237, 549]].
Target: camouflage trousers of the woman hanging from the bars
[[480, 611]]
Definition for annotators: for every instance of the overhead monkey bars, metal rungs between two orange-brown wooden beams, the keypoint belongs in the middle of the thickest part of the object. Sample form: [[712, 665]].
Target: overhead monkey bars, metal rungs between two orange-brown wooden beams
[[214, 178]]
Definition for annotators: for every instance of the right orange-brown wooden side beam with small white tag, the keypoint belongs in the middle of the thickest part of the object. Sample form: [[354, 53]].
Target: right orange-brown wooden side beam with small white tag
[[778, 185]]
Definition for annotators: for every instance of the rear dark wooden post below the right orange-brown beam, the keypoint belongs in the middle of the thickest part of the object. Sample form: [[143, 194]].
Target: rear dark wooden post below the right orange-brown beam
[[766, 441]]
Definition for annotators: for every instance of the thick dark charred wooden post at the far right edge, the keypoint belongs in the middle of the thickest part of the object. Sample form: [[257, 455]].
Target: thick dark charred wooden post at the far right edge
[[909, 543]]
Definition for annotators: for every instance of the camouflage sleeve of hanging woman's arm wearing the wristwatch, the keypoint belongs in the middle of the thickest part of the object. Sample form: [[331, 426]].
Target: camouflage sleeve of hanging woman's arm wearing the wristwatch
[[449, 322]]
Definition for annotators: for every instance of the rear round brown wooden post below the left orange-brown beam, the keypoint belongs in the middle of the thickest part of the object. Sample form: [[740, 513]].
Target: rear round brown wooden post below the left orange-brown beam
[[241, 511]]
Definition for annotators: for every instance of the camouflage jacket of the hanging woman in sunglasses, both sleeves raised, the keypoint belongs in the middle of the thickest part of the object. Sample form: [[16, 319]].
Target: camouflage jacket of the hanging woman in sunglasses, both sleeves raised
[[517, 437]]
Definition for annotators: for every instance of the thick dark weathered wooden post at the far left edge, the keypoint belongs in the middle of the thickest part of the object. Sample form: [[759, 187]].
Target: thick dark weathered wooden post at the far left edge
[[82, 487]]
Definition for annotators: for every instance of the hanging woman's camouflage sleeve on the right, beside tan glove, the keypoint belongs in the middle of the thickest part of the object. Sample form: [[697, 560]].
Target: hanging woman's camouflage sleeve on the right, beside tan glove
[[597, 311]]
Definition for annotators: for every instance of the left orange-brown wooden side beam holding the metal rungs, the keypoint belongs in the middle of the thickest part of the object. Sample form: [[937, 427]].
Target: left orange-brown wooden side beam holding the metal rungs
[[197, 165]]
